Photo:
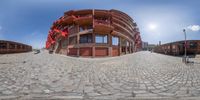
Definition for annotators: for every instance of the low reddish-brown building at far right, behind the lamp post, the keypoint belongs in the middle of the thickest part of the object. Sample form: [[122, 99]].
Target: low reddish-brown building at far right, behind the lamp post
[[178, 48]]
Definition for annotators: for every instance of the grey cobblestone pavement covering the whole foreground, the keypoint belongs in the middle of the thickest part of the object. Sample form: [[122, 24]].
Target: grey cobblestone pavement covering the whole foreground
[[142, 75]]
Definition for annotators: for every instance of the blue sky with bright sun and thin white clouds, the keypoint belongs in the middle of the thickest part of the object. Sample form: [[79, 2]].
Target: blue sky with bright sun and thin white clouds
[[28, 21]]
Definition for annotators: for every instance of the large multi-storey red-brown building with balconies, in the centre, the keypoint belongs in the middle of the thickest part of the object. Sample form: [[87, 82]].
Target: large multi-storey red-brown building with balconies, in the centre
[[94, 33]]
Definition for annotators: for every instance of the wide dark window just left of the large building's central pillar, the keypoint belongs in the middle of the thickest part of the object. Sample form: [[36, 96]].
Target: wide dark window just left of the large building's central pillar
[[86, 38]]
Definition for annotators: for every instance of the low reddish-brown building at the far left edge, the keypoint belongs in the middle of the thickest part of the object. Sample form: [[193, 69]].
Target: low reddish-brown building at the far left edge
[[13, 47]]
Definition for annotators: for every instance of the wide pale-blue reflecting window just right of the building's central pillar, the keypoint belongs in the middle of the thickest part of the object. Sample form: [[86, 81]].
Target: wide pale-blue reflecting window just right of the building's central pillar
[[101, 38]]
